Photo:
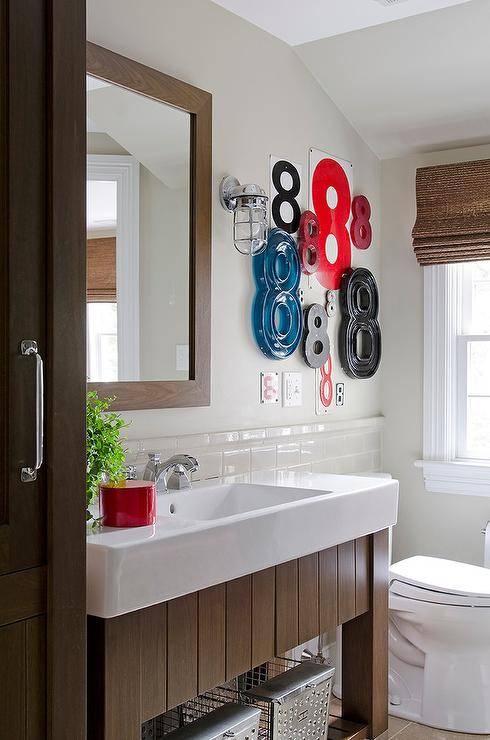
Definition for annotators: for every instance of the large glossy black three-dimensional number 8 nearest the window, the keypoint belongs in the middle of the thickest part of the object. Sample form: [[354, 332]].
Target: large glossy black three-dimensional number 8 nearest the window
[[360, 335]]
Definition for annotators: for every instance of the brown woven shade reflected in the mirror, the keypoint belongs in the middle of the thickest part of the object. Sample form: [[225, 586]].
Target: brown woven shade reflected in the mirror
[[101, 270]]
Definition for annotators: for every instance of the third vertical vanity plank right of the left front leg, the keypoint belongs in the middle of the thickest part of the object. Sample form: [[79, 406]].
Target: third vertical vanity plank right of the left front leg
[[211, 638]]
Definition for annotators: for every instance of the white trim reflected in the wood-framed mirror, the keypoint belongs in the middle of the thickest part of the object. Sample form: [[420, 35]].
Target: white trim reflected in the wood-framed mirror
[[124, 170]]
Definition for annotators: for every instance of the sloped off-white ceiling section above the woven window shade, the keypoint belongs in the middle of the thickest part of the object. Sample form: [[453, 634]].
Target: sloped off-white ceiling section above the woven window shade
[[418, 84]]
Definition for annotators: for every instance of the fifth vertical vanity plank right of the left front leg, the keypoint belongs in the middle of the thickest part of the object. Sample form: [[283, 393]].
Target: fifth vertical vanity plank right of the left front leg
[[263, 615]]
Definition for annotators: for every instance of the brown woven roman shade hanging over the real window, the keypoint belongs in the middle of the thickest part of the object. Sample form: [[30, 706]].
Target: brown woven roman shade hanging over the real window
[[453, 213]]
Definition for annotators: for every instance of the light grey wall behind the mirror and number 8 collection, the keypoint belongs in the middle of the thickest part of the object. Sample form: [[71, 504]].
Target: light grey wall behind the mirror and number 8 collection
[[264, 102]]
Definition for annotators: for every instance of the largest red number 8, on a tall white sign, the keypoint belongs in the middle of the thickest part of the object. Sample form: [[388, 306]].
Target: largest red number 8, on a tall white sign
[[333, 220]]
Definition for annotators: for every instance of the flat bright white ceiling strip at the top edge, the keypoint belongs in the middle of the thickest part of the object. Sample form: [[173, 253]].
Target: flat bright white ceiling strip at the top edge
[[300, 22]]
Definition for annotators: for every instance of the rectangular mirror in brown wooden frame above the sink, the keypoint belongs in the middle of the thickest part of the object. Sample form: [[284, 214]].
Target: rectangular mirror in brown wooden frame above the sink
[[148, 235]]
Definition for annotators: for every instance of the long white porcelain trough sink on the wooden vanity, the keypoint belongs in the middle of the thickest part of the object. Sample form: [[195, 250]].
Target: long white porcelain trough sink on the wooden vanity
[[215, 533]]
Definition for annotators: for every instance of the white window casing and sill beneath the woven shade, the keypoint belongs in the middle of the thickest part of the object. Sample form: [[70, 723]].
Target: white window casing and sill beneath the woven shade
[[445, 347]]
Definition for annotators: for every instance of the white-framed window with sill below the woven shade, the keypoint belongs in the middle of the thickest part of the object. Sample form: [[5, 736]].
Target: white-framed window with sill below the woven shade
[[457, 378]]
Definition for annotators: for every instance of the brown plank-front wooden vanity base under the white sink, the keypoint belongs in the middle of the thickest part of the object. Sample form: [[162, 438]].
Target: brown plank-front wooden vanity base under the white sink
[[146, 662]]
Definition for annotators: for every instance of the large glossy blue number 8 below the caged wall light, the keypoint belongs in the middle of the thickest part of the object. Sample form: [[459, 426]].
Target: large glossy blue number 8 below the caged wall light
[[277, 320]]
